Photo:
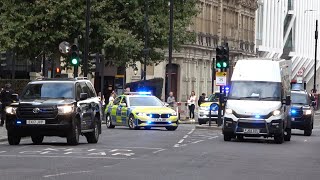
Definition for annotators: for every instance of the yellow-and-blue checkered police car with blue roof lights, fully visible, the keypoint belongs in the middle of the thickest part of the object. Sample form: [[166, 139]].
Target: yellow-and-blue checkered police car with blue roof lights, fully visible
[[137, 110]]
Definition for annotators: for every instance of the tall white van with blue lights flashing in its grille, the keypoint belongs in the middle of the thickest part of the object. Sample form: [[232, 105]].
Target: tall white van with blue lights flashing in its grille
[[258, 103]]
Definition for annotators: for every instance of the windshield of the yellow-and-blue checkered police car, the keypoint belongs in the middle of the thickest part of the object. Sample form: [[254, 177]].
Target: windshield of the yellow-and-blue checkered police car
[[145, 101]]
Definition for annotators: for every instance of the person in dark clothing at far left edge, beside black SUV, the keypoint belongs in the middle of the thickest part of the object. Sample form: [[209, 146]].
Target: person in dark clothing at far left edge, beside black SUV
[[6, 100]]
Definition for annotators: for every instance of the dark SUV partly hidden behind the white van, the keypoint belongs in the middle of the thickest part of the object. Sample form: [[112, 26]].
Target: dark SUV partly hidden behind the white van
[[302, 111]]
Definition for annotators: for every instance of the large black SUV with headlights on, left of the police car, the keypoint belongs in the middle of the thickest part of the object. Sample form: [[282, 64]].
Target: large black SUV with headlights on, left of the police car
[[55, 107]]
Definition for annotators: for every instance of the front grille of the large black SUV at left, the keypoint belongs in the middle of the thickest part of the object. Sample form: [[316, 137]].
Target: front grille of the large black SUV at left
[[44, 112]]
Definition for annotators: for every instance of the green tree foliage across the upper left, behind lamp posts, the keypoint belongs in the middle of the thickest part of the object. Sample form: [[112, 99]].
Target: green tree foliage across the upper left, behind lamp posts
[[32, 26]]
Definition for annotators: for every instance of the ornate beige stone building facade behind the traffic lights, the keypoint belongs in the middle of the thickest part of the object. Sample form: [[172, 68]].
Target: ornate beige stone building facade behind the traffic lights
[[219, 22]]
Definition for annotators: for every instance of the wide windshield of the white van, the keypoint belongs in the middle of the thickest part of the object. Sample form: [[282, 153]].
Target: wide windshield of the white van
[[267, 91]]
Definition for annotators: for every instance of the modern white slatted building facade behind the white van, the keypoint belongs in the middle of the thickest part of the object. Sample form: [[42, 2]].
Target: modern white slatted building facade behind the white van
[[286, 29]]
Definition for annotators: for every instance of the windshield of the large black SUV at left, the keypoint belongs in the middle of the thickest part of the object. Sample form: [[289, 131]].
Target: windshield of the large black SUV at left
[[48, 90]]
